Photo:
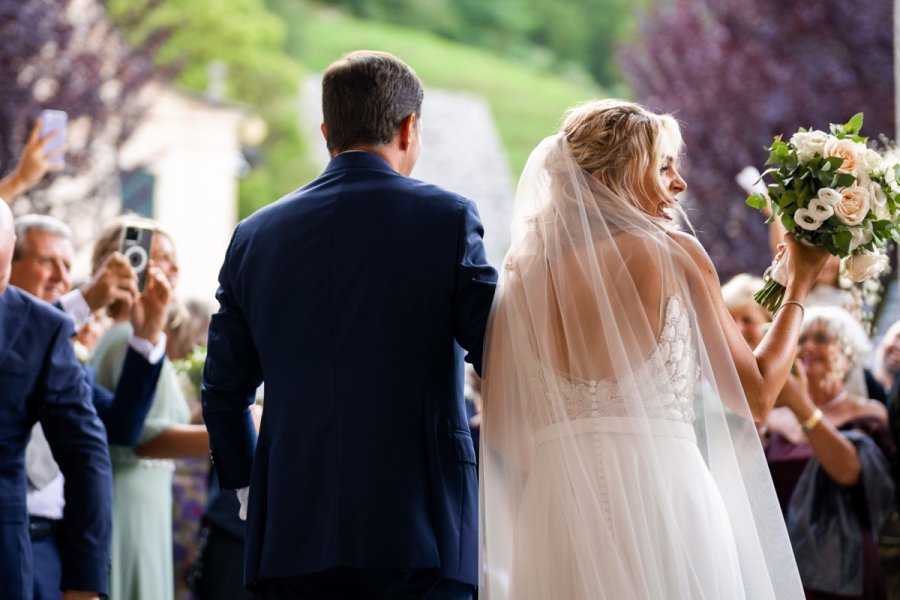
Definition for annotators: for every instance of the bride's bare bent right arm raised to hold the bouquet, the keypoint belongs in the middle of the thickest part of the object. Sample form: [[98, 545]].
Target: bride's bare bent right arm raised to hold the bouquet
[[763, 371]]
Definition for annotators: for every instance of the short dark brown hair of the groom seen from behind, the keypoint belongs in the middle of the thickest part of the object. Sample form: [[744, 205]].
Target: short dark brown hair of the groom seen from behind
[[365, 97]]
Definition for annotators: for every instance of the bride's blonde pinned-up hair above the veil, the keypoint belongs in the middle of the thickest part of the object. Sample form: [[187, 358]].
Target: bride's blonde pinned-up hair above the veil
[[623, 145]]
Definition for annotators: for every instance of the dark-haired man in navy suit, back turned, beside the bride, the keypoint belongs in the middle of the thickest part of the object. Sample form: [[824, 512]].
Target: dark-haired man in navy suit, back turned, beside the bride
[[354, 297]]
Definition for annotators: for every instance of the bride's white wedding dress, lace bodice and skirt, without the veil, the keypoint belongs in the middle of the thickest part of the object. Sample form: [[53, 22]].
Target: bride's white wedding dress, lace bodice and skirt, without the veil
[[551, 527]]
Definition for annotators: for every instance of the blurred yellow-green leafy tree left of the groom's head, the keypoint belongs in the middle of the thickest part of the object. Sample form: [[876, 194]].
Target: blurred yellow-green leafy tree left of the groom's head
[[250, 41]]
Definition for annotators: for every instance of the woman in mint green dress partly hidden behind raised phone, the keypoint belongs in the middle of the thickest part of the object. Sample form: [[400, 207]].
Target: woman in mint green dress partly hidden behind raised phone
[[142, 564]]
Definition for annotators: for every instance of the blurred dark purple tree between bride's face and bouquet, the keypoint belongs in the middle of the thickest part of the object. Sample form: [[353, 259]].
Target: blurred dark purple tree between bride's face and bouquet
[[738, 72]]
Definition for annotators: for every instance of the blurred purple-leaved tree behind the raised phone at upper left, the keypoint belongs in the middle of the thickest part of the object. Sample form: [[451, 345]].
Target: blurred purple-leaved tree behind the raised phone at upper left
[[67, 55]]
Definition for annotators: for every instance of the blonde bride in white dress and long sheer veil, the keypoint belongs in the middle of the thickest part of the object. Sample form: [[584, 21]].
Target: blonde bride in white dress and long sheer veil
[[620, 458]]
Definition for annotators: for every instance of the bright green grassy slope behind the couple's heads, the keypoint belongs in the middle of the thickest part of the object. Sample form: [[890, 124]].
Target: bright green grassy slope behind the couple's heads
[[527, 102]]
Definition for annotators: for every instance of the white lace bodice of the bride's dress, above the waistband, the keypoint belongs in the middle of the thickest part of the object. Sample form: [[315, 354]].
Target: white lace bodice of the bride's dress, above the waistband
[[665, 382]]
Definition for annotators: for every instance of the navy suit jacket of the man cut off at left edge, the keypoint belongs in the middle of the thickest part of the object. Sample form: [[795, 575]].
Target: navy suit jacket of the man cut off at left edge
[[40, 380]]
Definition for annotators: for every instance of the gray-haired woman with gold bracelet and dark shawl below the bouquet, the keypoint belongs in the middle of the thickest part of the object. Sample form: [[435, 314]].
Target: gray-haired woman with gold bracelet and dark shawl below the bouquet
[[828, 453]]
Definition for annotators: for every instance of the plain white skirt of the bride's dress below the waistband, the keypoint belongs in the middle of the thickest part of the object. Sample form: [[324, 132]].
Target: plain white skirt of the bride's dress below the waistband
[[613, 522]]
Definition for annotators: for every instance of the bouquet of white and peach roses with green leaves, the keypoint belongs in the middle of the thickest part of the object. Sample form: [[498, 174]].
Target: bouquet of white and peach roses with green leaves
[[832, 191]]
